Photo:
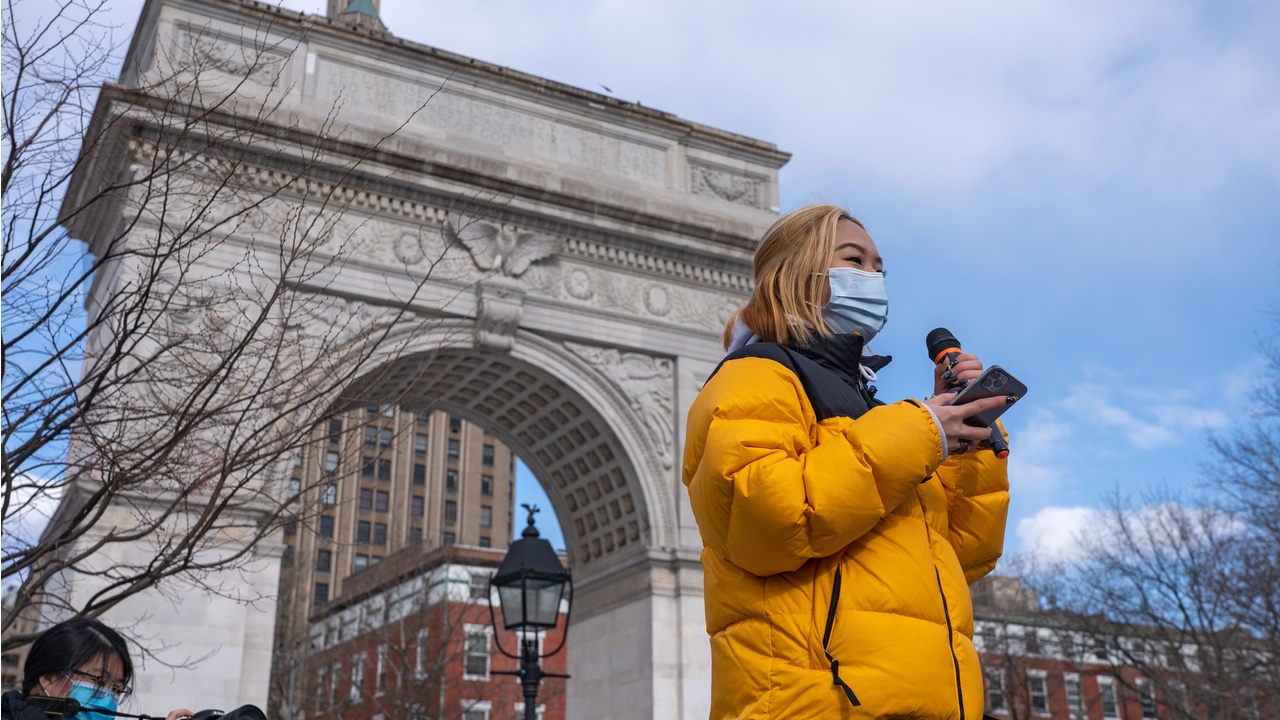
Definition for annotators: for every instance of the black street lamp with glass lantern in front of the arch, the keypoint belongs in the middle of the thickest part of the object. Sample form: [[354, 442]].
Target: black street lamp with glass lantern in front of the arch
[[531, 586]]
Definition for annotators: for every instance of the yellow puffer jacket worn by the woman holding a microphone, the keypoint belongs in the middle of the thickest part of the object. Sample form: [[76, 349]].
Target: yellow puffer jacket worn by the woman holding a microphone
[[788, 503]]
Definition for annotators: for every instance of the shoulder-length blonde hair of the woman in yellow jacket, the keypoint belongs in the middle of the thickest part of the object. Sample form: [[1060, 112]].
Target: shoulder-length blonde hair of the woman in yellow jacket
[[790, 268]]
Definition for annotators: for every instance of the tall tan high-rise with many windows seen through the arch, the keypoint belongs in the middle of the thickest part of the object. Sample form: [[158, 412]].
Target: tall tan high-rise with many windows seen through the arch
[[374, 481]]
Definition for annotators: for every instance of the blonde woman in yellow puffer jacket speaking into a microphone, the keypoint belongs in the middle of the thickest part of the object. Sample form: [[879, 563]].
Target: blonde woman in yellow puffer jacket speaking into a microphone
[[840, 534]]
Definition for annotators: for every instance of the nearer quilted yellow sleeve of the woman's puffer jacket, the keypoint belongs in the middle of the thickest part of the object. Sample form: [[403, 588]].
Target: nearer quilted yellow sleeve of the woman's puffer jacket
[[772, 489]]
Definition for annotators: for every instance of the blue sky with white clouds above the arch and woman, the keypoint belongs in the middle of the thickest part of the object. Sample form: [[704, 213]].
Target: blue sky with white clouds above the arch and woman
[[1086, 193]]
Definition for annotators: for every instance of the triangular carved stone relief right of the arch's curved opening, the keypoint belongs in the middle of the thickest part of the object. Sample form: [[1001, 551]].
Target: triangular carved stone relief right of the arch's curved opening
[[648, 385]]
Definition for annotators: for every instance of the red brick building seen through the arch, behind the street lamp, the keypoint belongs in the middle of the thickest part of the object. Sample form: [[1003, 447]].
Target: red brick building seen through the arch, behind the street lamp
[[413, 639]]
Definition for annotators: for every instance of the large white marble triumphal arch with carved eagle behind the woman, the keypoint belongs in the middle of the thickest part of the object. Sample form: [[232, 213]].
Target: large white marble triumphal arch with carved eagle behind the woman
[[578, 326]]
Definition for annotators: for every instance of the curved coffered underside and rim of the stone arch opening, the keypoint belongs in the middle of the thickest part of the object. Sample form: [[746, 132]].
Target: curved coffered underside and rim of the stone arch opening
[[572, 423]]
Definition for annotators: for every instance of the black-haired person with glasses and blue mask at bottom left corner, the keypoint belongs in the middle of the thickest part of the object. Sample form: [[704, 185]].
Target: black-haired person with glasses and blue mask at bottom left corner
[[77, 660]]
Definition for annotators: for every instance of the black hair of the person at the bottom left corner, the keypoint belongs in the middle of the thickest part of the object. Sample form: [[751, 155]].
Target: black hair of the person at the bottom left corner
[[70, 645]]
